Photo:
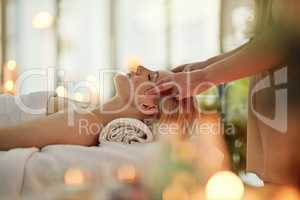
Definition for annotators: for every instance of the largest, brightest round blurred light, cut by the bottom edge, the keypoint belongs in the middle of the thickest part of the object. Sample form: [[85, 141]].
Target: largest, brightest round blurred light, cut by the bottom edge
[[224, 186]]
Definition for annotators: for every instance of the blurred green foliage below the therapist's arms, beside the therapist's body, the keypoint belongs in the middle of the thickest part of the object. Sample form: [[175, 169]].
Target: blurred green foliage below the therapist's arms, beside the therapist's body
[[235, 110]]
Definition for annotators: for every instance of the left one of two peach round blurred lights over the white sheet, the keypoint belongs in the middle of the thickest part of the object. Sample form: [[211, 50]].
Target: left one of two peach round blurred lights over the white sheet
[[75, 177]]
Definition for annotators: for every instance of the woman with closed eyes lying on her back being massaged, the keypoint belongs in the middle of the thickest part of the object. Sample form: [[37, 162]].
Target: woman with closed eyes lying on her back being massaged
[[56, 129]]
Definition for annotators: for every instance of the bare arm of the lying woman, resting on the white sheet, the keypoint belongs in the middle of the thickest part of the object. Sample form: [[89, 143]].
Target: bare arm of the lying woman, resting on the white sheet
[[53, 129]]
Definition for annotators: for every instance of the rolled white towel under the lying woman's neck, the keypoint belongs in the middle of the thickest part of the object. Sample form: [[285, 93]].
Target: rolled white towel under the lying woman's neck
[[126, 131]]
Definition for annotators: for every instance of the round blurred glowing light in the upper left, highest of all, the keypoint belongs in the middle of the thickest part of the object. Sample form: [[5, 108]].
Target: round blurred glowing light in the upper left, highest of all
[[42, 20]]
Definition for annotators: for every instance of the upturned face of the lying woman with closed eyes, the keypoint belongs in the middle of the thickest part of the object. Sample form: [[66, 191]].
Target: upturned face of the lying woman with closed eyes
[[133, 86]]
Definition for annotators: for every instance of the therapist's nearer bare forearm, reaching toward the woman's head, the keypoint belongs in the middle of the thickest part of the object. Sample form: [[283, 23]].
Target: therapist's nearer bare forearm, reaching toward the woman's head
[[252, 59]]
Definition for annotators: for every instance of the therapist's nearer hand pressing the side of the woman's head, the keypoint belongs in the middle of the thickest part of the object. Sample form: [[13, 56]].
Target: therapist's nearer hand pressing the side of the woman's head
[[182, 85]]
